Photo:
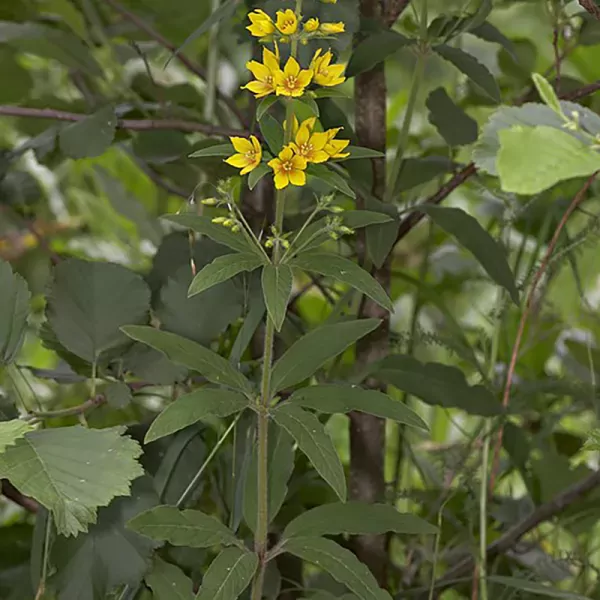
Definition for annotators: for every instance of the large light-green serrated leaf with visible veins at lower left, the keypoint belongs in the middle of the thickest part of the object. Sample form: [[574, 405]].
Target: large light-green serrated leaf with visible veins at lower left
[[72, 471]]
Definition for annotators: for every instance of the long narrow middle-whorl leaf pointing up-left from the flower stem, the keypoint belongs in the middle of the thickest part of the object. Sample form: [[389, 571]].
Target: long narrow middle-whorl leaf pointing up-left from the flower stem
[[191, 355]]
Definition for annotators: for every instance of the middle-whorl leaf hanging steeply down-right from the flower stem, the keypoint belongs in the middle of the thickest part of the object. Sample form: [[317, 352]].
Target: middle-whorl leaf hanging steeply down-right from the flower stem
[[315, 442]]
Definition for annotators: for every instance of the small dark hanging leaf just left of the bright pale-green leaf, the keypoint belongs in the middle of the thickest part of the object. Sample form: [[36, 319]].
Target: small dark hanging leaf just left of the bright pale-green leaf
[[452, 123]]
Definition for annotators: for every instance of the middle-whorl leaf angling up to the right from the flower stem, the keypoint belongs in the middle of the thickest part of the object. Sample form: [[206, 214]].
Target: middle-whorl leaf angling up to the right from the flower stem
[[315, 348]]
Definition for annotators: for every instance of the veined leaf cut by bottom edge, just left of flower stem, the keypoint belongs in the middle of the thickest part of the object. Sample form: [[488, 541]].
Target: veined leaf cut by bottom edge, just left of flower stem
[[228, 575]]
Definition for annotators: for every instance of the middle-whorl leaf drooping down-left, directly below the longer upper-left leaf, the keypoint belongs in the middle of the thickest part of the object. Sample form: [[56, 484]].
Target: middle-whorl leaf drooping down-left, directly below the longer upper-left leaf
[[194, 407]]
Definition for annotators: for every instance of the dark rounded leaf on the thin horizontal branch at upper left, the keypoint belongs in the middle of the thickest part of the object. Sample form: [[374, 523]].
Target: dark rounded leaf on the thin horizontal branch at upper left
[[90, 137]]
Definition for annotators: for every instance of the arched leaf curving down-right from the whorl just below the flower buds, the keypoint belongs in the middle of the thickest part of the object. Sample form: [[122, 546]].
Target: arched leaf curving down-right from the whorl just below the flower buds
[[344, 270]]
